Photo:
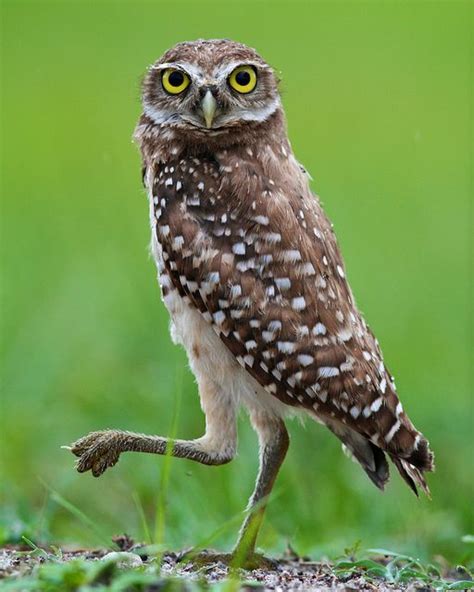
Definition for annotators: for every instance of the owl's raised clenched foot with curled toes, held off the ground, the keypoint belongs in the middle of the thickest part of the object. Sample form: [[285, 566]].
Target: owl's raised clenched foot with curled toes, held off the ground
[[96, 452]]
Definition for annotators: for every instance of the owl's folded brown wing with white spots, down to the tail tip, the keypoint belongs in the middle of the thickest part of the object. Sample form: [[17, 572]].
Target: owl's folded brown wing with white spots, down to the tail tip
[[268, 276]]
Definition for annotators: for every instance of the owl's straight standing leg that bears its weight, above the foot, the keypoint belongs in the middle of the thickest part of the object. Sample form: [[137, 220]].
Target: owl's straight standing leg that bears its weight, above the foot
[[274, 441]]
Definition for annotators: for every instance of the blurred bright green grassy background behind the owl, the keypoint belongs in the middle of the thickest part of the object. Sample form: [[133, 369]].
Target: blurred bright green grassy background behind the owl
[[379, 105]]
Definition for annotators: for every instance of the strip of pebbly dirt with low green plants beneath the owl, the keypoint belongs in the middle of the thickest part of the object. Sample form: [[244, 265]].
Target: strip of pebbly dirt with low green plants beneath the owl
[[105, 566]]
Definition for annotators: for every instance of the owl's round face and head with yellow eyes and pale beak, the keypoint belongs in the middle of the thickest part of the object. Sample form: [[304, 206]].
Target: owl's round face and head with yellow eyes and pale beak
[[208, 87]]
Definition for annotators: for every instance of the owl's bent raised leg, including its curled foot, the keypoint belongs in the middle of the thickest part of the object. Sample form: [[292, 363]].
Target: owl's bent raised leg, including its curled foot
[[100, 450]]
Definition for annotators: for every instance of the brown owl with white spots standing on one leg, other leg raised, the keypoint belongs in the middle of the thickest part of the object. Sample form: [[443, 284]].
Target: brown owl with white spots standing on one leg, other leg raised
[[254, 282]]
